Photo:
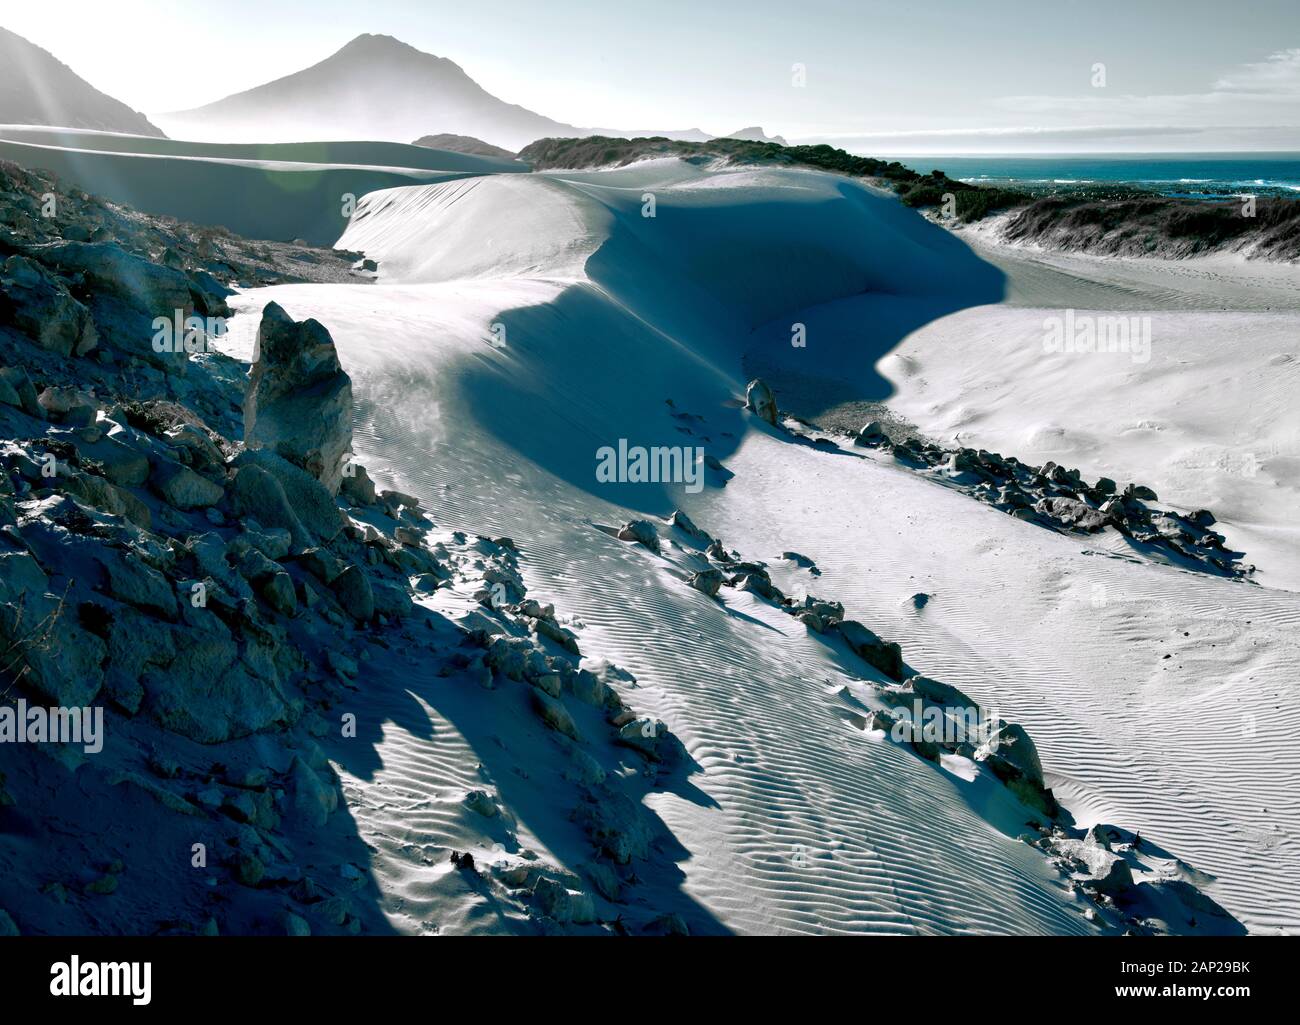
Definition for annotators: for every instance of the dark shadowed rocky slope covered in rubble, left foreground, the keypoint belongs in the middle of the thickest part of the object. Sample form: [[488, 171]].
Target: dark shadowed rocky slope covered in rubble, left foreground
[[197, 556]]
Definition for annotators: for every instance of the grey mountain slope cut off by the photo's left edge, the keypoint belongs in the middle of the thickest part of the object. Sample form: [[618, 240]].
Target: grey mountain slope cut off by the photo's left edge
[[37, 89]]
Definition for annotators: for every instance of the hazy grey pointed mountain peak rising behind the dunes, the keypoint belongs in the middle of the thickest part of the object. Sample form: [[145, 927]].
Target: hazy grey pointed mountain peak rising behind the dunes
[[378, 89]]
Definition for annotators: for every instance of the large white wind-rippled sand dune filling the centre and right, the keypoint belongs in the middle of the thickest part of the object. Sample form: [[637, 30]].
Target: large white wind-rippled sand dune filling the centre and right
[[795, 820]]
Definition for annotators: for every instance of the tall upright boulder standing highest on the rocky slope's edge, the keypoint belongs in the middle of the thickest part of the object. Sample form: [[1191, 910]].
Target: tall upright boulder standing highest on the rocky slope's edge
[[300, 401]]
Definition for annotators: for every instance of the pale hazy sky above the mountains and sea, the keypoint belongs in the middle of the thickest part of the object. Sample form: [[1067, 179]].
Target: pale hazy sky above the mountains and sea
[[937, 76]]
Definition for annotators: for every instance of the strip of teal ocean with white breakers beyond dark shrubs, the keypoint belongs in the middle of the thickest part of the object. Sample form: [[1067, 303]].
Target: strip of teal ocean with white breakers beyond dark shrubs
[[1184, 175]]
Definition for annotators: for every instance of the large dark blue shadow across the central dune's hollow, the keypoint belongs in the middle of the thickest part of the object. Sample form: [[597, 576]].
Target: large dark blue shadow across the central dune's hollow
[[683, 309]]
